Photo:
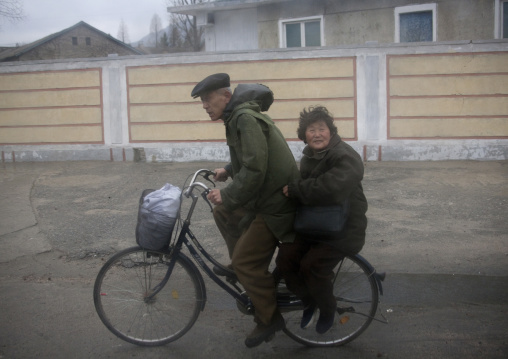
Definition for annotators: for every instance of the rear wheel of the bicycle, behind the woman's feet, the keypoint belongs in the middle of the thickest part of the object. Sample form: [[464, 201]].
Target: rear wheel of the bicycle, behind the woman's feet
[[356, 290]]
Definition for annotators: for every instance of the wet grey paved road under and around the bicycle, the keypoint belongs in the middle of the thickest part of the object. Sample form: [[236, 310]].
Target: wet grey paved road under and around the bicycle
[[438, 228]]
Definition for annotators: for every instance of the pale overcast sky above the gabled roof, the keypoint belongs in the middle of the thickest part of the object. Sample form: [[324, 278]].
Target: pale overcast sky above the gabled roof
[[45, 17]]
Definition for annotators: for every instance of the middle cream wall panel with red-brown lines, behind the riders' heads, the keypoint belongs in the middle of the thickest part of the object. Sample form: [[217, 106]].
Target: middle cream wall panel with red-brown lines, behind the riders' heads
[[161, 109]]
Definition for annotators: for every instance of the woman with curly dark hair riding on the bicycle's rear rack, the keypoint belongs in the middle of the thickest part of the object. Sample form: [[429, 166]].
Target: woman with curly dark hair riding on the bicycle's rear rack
[[331, 172]]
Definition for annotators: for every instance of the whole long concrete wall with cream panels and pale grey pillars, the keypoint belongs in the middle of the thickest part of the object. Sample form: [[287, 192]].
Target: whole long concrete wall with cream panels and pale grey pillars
[[390, 102]]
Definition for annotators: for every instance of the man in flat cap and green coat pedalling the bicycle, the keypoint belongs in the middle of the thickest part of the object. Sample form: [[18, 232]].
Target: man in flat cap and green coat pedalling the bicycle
[[252, 213]]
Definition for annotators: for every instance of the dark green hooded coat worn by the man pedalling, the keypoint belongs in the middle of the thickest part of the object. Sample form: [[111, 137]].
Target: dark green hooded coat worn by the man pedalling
[[261, 161]]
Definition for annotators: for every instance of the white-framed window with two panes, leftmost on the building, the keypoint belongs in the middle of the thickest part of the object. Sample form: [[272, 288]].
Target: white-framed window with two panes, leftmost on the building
[[302, 32]]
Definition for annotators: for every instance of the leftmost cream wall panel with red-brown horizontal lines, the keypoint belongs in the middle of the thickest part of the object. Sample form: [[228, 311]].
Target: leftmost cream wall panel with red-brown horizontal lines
[[51, 107]]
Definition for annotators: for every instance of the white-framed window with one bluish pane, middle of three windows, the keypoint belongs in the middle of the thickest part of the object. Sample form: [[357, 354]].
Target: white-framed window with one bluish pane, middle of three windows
[[415, 23]]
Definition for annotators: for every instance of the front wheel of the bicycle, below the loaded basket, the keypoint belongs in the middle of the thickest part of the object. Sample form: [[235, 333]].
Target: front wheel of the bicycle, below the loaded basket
[[124, 300]]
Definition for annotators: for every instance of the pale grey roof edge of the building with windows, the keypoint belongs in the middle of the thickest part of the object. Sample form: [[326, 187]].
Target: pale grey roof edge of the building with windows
[[220, 5]]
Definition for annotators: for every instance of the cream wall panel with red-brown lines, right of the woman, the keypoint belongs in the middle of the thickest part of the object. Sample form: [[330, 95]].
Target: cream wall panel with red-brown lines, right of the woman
[[447, 96]]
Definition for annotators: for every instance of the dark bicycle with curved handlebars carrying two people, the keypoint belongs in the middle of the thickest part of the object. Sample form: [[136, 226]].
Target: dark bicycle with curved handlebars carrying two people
[[152, 298]]
